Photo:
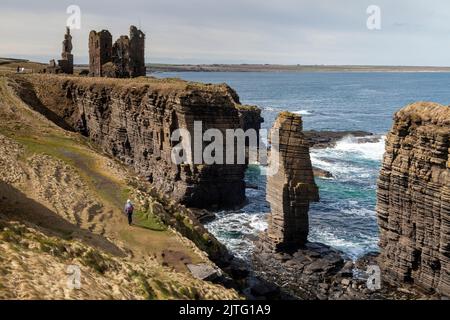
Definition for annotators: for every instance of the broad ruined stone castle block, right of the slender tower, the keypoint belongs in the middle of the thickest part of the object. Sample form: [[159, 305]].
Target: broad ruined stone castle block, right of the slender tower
[[124, 59]]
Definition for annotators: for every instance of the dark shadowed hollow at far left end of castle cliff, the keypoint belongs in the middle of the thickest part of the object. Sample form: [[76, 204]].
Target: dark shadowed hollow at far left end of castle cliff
[[25, 90]]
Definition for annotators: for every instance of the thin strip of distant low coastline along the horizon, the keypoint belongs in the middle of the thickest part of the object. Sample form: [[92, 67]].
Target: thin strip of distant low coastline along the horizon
[[286, 68]]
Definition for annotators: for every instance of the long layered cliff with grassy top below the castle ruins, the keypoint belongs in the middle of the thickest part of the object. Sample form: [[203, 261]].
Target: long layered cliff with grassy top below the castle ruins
[[133, 120]]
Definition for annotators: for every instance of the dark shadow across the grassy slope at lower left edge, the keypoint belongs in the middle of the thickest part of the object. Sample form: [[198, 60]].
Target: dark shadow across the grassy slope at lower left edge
[[16, 206]]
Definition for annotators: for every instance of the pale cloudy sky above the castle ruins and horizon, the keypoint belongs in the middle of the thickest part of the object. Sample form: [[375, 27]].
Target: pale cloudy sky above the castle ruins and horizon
[[329, 32]]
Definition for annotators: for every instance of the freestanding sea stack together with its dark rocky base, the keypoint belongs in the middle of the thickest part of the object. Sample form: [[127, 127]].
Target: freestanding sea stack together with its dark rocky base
[[283, 254]]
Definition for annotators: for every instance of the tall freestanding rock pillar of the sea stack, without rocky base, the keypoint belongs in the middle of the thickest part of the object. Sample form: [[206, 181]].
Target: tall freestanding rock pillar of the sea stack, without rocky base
[[292, 188]]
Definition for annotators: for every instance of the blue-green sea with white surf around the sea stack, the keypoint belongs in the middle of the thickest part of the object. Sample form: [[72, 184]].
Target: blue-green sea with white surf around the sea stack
[[345, 217]]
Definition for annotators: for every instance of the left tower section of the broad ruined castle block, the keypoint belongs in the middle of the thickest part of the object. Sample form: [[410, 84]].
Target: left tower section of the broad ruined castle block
[[100, 51]]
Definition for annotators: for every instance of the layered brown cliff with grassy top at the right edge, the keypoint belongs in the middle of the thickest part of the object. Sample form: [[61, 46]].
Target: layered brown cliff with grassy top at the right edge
[[414, 198]]
